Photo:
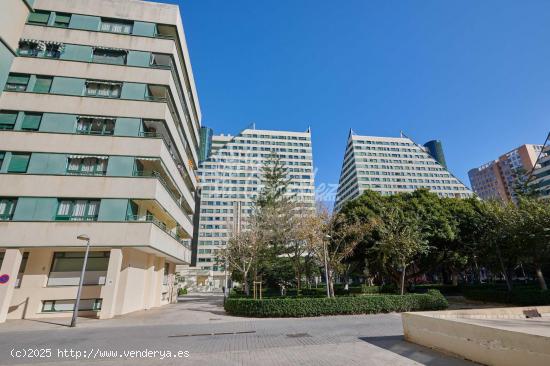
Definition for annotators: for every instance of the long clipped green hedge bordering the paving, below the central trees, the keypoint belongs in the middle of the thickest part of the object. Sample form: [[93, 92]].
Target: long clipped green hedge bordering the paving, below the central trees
[[300, 307]]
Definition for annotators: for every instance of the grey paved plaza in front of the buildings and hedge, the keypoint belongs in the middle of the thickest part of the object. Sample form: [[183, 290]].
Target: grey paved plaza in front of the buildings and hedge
[[198, 325]]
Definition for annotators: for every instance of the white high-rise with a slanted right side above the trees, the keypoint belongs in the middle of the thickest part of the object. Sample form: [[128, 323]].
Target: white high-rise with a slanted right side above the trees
[[390, 165]]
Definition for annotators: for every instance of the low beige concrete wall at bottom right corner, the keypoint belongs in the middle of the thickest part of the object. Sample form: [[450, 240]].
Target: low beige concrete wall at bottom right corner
[[489, 345]]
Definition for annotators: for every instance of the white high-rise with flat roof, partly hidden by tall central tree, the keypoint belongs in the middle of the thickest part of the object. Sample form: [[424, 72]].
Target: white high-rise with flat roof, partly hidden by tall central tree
[[231, 180]]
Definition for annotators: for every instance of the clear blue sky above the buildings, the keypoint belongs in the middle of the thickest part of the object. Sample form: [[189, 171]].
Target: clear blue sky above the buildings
[[475, 74]]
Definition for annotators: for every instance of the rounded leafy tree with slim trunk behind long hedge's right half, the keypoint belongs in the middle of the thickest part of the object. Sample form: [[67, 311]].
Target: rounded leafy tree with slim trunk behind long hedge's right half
[[401, 241]]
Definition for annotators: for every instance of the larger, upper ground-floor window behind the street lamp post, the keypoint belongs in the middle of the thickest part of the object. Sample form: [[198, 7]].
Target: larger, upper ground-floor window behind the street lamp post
[[66, 268]]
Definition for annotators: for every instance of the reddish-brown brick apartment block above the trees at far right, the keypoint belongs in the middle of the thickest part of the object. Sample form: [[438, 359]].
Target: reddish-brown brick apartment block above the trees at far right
[[497, 179]]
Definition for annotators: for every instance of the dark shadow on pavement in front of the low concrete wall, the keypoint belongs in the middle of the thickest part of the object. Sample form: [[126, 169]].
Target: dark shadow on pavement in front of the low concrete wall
[[420, 354]]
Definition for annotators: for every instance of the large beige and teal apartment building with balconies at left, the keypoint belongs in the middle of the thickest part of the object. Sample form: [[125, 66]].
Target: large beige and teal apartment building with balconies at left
[[99, 123]]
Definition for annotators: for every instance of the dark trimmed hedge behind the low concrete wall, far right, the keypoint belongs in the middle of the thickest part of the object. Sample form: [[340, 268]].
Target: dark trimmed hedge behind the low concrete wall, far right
[[520, 296]]
